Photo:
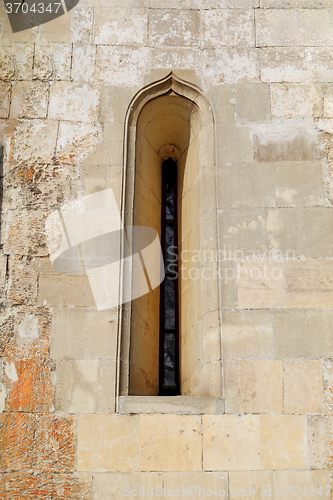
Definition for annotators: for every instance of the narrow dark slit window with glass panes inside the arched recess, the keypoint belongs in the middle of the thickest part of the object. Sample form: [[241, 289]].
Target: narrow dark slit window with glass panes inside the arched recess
[[169, 310]]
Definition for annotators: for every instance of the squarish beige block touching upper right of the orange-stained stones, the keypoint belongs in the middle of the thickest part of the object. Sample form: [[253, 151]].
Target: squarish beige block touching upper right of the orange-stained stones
[[68, 333]]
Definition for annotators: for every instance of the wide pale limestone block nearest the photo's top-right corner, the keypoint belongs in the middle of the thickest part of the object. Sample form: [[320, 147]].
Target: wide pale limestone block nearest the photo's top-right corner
[[292, 28]]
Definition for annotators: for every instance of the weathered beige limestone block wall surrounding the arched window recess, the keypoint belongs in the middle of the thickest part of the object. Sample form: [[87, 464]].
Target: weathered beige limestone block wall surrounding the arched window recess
[[266, 68]]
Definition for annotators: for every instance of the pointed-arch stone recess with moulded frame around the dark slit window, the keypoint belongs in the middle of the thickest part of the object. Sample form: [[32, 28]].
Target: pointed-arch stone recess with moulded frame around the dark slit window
[[171, 113]]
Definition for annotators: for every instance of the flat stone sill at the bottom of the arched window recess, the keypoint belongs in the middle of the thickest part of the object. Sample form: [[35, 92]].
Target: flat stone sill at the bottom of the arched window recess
[[179, 405]]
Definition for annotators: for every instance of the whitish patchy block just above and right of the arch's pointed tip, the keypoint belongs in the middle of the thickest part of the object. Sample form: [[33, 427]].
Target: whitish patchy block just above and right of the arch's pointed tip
[[228, 66]]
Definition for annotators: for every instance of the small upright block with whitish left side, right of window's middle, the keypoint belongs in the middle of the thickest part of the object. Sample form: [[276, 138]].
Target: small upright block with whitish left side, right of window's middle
[[284, 233]]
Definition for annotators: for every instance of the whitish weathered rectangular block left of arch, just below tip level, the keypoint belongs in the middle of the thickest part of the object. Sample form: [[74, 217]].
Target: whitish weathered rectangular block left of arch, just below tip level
[[74, 102]]
